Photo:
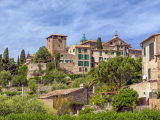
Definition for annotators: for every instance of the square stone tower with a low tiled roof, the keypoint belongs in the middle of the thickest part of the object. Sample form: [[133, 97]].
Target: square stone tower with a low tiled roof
[[56, 43]]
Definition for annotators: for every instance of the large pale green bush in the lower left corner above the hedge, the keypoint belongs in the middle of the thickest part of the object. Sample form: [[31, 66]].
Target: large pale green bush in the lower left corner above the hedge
[[25, 104]]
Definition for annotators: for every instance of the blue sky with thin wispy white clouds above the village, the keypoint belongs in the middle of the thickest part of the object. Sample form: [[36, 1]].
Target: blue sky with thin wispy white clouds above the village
[[25, 24]]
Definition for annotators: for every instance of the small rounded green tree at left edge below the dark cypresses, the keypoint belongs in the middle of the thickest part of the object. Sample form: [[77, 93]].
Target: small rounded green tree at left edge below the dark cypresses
[[5, 77]]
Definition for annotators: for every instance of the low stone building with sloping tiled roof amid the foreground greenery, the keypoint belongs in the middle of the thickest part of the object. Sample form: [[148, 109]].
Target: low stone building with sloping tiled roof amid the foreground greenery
[[80, 95]]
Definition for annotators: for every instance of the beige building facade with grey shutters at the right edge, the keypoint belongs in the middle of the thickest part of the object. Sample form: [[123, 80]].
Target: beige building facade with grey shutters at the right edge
[[151, 58]]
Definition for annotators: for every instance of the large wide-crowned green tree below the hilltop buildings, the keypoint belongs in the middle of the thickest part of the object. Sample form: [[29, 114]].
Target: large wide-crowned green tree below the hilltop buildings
[[116, 71]]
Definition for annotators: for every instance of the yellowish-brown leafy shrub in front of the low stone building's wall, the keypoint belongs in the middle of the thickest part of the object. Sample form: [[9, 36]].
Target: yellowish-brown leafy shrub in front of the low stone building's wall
[[62, 105]]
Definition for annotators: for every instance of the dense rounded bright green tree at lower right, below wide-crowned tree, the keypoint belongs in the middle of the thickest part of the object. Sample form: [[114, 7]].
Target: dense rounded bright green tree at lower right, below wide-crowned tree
[[125, 98]]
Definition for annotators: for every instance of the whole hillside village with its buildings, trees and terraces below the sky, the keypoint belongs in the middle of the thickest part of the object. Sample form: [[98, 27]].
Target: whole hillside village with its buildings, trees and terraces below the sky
[[90, 75]]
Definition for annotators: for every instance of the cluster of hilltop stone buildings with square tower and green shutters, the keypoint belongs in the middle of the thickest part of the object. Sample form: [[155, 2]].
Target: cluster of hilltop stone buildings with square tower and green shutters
[[80, 58]]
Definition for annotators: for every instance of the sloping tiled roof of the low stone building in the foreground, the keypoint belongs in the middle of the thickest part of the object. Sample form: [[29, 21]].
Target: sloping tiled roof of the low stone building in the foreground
[[59, 92]]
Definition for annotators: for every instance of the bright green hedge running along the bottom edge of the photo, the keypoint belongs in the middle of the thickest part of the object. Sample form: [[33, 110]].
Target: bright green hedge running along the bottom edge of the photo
[[109, 115]]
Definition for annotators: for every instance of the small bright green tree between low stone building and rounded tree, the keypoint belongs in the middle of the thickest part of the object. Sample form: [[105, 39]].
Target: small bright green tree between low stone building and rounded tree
[[97, 100]]
